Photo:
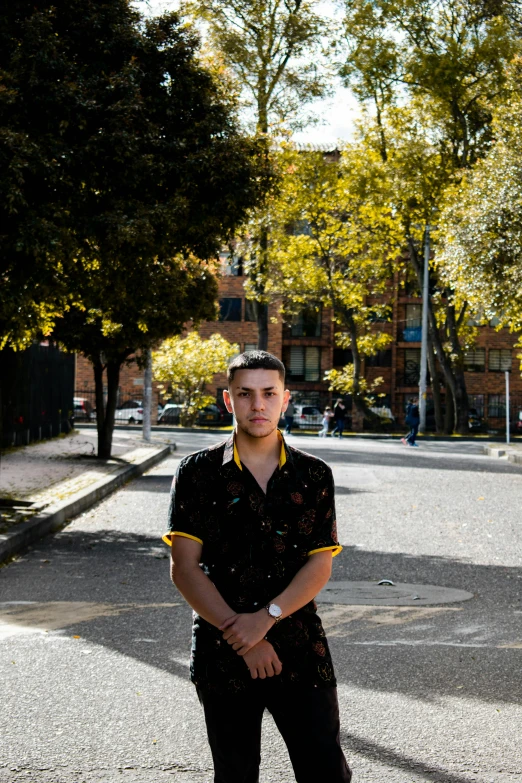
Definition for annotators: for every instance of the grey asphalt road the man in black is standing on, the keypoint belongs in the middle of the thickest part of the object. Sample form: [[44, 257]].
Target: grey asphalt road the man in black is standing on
[[94, 639]]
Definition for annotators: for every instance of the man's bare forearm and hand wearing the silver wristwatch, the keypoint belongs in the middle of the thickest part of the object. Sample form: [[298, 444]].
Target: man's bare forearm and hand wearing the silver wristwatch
[[243, 631]]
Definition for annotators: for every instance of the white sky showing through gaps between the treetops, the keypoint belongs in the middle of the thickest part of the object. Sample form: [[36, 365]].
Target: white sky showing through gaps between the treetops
[[337, 114]]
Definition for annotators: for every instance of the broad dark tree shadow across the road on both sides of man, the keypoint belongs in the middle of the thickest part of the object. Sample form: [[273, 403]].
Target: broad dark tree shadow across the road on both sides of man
[[114, 567]]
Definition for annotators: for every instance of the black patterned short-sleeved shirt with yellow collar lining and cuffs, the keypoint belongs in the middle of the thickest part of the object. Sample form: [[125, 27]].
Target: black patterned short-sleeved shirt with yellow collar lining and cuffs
[[253, 546]]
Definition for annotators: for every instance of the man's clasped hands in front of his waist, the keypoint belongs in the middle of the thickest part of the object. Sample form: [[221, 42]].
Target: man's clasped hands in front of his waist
[[246, 635]]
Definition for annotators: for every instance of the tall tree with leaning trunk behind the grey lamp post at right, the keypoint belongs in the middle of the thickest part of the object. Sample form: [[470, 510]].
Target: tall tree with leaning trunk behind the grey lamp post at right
[[447, 59]]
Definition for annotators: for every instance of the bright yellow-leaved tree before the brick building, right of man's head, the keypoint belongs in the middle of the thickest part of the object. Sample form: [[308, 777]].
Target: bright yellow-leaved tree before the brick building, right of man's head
[[332, 247]]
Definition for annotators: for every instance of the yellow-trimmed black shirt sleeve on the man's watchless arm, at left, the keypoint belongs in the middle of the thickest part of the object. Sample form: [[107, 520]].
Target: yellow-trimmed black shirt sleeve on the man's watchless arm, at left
[[184, 515]]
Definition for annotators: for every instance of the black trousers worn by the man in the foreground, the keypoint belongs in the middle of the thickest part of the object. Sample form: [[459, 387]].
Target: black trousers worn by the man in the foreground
[[307, 718]]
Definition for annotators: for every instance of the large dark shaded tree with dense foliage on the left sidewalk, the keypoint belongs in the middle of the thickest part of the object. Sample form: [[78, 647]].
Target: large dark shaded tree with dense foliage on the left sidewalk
[[139, 170]]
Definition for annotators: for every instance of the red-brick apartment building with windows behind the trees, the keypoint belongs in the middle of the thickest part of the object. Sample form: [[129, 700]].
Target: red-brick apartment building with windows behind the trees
[[306, 346]]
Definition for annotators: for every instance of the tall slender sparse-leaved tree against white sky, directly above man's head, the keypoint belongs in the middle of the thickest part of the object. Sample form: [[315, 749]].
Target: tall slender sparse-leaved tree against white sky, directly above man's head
[[271, 49]]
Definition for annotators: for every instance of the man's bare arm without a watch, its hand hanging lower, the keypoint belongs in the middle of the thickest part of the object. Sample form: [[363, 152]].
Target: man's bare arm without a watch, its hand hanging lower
[[203, 596]]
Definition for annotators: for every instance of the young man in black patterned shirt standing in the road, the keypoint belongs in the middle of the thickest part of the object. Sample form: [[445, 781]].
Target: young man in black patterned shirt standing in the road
[[252, 530]]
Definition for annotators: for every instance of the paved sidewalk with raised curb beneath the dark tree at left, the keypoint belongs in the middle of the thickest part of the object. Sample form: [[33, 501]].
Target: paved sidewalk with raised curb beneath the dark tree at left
[[45, 484]]
